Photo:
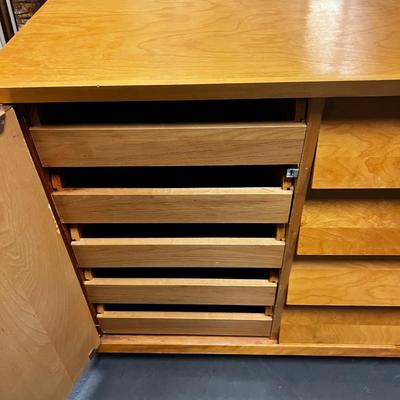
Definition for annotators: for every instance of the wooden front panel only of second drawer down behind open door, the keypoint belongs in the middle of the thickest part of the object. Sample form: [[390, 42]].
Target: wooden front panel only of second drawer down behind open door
[[193, 205]]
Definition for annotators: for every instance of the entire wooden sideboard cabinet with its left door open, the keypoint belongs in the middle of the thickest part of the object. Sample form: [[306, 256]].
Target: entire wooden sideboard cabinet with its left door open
[[227, 183]]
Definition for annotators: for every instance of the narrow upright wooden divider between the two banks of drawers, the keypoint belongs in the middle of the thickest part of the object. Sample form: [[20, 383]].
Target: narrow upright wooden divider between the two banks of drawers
[[315, 107]]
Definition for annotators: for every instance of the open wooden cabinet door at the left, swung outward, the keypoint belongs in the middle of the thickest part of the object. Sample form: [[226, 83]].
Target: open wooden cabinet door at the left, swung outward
[[46, 330]]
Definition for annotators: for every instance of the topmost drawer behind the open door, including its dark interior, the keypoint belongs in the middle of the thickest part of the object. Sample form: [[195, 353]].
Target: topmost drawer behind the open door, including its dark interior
[[246, 132]]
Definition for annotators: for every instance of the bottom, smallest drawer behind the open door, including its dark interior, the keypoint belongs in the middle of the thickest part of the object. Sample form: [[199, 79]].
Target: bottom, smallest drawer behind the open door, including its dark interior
[[185, 320]]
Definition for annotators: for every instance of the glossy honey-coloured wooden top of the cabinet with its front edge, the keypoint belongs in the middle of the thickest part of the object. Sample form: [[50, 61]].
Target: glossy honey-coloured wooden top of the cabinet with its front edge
[[91, 50]]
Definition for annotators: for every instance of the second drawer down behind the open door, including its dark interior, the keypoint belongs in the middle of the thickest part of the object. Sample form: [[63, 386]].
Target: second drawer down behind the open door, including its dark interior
[[184, 197]]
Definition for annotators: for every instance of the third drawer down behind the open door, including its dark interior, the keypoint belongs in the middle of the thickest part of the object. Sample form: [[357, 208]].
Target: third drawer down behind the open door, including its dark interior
[[178, 245]]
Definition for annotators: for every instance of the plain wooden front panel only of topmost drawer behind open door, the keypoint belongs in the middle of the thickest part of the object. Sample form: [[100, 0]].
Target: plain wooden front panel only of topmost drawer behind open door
[[200, 144]]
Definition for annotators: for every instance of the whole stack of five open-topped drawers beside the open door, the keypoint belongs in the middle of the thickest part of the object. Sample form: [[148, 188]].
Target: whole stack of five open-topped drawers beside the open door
[[176, 210]]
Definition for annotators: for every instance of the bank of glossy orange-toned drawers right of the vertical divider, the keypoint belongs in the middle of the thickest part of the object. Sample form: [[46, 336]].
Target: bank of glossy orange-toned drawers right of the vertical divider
[[344, 287]]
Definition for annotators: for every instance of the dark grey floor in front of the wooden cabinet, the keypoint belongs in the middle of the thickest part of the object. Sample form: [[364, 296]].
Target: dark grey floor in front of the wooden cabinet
[[153, 377]]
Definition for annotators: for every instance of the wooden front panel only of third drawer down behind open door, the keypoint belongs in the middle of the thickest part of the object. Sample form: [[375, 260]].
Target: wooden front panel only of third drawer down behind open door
[[179, 252]]
